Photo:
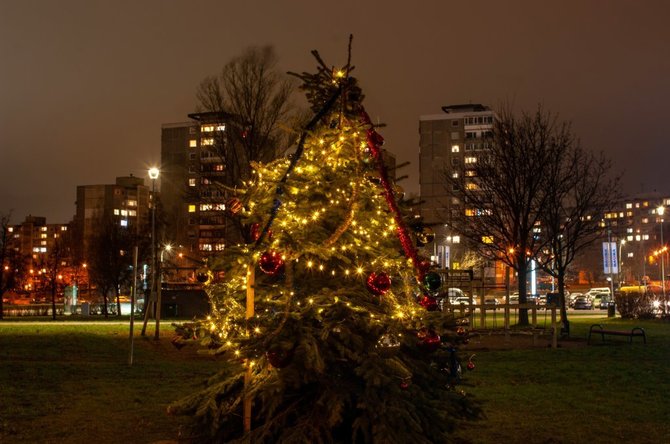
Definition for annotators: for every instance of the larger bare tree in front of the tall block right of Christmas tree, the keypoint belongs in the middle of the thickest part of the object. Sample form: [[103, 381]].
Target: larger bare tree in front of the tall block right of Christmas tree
[[507, 190]]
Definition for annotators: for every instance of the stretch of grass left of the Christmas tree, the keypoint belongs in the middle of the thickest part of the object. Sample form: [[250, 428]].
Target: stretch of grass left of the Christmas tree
[[72, 383]]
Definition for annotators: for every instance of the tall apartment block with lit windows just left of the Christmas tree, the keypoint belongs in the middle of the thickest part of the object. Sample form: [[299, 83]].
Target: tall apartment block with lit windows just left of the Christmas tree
[[192, 170]]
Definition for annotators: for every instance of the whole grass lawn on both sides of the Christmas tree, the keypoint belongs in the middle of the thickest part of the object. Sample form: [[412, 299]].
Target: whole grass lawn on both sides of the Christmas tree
[[71, 383]]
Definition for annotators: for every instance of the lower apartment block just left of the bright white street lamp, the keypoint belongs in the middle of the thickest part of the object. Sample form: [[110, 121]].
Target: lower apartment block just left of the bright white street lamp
[[127, 202]]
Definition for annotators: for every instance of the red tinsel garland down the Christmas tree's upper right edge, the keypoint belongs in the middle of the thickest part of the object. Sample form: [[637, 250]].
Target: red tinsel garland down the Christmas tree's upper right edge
[[375, 141]]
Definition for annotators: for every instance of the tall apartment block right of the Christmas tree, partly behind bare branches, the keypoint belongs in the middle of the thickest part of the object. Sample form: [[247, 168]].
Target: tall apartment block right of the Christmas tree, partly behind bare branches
[[449, 142]]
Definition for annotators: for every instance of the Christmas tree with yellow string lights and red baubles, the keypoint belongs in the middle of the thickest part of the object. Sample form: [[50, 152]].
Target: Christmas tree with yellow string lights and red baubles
[[328, 315]]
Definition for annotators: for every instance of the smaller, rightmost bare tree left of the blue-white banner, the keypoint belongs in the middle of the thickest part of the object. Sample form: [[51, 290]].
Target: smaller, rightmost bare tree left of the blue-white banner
[[583, 190]]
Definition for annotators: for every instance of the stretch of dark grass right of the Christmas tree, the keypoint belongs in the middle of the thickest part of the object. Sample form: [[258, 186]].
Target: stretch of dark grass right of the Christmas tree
[[604, 393]]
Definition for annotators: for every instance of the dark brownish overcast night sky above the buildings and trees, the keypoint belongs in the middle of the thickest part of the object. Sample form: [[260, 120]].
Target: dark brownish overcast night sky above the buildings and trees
[[86, 84]]
